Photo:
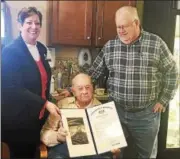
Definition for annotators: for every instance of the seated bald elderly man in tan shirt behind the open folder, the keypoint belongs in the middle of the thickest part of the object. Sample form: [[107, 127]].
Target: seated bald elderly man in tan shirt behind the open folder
[[53, 134]]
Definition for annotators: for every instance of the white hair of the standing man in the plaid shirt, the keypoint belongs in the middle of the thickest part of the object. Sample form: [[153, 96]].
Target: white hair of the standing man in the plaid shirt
[[132, 11]]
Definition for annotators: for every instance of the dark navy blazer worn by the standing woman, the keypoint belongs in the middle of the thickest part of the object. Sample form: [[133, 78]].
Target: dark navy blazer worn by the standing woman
[[21, 99]]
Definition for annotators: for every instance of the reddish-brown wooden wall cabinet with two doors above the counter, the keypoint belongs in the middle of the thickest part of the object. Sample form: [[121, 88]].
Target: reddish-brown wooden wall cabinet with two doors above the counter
[[83, 23]]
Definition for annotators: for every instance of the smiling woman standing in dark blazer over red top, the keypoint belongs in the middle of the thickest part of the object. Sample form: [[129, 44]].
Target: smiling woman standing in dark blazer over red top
[[25, 76]]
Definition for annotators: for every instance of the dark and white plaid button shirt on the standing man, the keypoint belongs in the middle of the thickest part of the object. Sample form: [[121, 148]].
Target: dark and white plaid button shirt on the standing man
[[139, 73]]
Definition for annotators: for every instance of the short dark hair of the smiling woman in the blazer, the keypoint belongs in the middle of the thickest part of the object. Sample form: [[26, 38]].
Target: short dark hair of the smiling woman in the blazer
[[27, 12]]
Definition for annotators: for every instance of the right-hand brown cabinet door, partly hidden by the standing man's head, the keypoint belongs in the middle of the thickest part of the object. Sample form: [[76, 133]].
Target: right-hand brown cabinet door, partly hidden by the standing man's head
[[105, 18]]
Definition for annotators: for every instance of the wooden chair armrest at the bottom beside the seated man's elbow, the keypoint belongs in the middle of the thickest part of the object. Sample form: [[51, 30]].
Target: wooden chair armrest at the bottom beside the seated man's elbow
[[42, 151]]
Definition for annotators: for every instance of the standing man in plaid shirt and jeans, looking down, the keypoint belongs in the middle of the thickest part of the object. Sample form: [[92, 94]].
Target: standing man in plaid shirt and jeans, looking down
[[142, 78]]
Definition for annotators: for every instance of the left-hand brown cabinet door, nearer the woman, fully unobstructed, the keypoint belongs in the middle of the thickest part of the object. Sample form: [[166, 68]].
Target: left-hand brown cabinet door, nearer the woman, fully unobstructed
[[72, 22]]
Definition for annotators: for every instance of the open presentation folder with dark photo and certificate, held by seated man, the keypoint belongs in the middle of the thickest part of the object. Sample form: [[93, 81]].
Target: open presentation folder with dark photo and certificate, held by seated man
[[93, 130]]
